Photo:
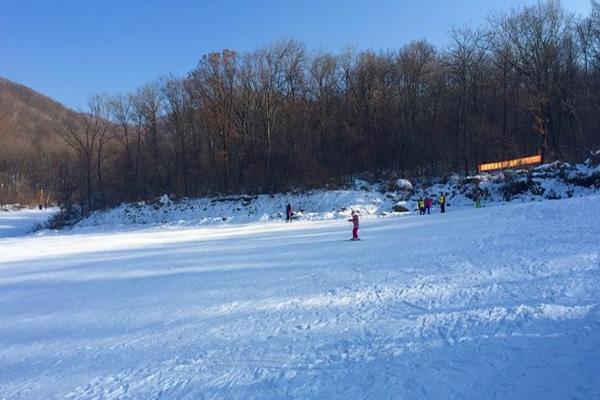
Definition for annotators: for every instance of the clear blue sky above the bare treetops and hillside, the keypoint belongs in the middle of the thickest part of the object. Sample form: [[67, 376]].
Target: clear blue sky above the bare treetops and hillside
[[71, 49]]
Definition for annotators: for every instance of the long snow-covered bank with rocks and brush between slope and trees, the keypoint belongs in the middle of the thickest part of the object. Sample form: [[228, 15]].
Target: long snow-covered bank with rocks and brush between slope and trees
[[551, 181]]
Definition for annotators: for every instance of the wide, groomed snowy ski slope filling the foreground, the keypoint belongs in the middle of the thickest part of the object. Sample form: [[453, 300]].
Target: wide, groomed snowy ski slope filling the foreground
[[495, 303]]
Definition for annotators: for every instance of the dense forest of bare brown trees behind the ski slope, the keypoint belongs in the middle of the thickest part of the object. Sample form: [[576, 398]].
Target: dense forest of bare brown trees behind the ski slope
[[280, 117]]
